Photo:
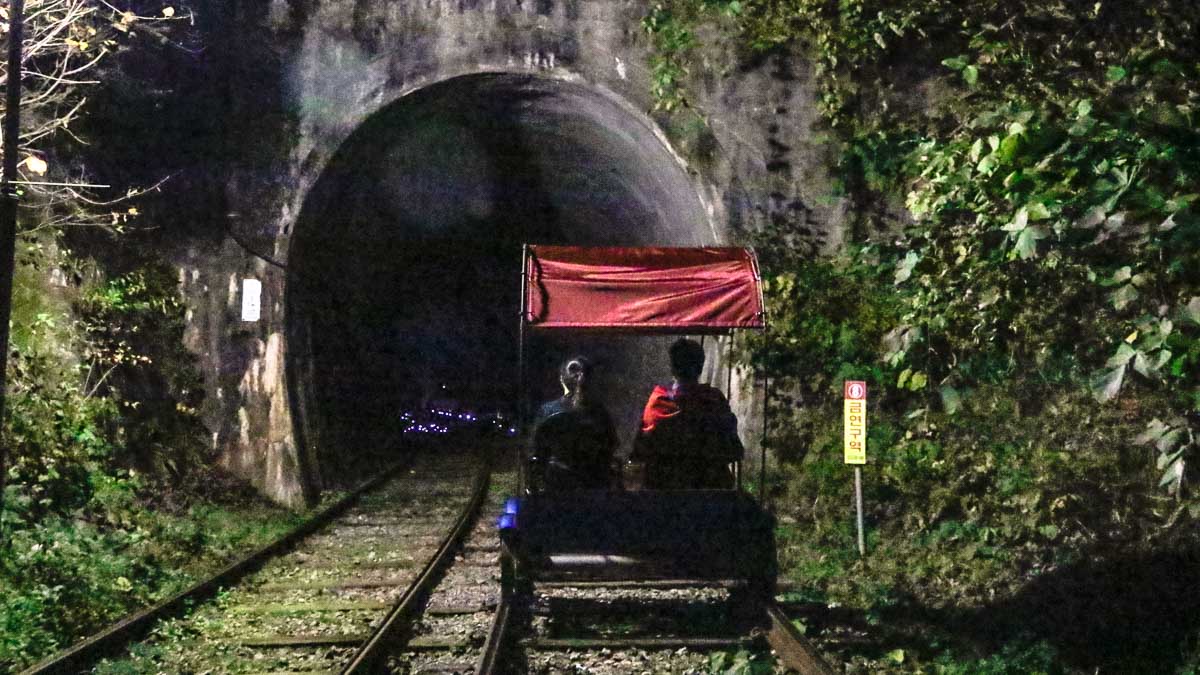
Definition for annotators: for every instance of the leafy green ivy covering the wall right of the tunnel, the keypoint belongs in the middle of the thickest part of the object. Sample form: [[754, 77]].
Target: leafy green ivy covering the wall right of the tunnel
[[1027, 177]]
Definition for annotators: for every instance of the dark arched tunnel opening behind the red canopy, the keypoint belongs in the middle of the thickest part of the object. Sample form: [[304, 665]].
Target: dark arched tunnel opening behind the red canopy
[[404, 274]]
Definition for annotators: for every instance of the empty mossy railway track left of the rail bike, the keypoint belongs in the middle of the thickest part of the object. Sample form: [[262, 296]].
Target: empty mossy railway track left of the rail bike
[[323, 601]]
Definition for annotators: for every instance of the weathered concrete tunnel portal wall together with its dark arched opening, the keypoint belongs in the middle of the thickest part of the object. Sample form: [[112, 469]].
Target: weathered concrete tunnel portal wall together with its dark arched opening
[[393, 158]]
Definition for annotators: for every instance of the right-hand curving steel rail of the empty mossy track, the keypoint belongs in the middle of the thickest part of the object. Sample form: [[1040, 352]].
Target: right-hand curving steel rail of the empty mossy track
[[370, 655]]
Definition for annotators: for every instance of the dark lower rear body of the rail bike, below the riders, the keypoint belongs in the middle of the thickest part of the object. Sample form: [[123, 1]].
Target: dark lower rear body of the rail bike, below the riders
[[598, 535]]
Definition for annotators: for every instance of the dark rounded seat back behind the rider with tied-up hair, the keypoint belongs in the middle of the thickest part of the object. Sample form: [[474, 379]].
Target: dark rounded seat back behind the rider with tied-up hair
[[571, 452]]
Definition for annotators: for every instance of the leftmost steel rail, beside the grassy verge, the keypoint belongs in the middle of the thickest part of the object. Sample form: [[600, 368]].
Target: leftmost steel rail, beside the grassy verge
[[128, 630]]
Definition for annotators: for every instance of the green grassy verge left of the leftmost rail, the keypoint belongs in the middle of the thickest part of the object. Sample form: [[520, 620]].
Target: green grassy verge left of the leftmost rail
[[64, 578]]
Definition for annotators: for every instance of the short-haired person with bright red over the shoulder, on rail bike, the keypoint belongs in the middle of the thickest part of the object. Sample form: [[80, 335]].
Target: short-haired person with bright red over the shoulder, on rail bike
[[689, 437]]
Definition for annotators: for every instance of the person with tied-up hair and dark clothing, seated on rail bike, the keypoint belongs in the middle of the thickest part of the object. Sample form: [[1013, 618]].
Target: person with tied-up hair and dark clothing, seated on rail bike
[[574, 439]]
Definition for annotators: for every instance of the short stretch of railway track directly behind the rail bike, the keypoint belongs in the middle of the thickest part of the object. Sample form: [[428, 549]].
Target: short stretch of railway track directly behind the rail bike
[[667, 626]]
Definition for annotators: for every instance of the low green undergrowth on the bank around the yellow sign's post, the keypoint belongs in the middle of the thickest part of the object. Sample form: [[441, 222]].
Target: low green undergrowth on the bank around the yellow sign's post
[[995, 545]]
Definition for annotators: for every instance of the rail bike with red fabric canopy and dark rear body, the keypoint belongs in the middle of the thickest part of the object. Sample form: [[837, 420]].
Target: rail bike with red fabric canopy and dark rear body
[[647, 535]]
